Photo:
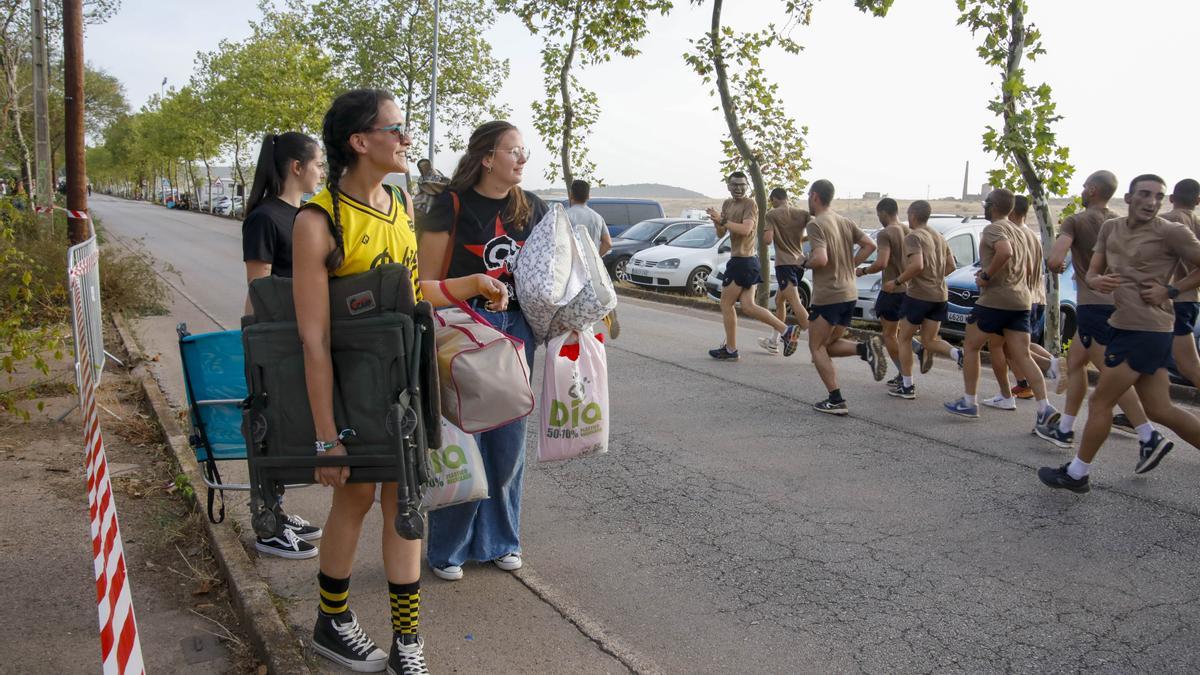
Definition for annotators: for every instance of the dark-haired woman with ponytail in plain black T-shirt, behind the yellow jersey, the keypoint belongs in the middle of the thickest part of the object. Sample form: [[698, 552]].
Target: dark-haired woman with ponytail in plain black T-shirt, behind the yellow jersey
[[289, 168]]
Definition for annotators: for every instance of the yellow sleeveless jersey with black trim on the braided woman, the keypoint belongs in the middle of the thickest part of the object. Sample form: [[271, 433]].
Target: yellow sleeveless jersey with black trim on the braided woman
[[370, 237]]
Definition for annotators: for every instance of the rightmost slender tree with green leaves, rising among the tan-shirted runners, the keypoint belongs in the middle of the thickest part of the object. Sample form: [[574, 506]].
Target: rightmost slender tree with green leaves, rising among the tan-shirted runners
[[1027, 144]]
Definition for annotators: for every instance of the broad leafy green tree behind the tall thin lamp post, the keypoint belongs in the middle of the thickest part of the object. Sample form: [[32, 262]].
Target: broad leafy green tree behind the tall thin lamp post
[[388, 44]]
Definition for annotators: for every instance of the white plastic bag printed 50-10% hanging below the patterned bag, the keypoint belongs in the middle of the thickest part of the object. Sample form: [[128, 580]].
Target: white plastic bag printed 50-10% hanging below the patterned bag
[[574, 398]]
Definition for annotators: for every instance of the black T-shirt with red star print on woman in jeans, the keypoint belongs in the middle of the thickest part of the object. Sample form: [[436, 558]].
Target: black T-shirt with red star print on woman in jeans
[[483, 242]]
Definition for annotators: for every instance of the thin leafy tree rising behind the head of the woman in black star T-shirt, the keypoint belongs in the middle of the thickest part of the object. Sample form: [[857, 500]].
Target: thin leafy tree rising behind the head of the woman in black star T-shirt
[[585, 34]]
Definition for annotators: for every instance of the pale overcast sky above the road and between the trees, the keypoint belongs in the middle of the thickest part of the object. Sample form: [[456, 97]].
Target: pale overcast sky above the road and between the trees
[[893, 105]]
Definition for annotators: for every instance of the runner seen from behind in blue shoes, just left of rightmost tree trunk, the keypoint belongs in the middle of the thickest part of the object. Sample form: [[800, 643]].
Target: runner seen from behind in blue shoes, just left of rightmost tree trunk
[[1003, 308]]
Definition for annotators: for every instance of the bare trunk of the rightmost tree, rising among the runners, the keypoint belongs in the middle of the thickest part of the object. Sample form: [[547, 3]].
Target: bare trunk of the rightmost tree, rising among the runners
[[1033, 182]]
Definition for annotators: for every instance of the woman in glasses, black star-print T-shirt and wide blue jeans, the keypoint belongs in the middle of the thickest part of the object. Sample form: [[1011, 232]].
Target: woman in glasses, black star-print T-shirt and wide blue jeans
[[473, 229]]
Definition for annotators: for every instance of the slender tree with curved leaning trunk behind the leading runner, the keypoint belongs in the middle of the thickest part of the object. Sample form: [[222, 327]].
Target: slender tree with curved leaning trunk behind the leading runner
[[763, 138]]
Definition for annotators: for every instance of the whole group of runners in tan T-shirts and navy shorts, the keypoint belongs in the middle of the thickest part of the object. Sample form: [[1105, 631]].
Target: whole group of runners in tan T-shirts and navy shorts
[[1137, 306]]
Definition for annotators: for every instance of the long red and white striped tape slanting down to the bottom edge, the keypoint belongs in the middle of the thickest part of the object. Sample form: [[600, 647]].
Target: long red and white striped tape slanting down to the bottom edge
[[119, 644]]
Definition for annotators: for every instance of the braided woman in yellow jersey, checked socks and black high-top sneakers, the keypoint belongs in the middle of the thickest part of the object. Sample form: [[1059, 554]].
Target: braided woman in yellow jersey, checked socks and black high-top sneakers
[[352, 226]]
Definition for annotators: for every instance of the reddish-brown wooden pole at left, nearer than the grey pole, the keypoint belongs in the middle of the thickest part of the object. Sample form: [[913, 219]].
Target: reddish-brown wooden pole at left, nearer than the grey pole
[[77, 175]]
